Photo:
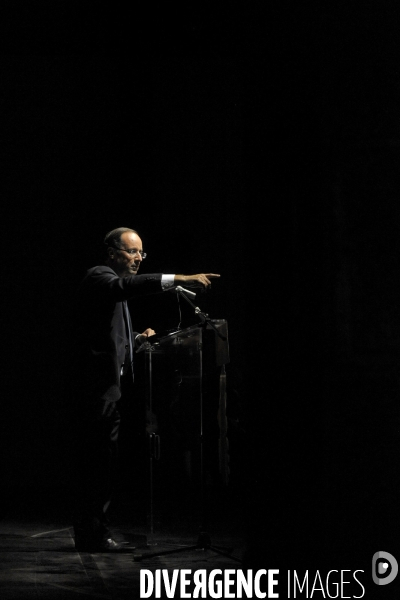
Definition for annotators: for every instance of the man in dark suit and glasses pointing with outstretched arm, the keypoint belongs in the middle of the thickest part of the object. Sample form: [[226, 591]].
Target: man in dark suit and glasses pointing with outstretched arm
[[104, 358]]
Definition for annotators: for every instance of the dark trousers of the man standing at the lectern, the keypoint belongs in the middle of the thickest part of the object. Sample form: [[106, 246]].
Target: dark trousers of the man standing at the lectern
[[96, 469]]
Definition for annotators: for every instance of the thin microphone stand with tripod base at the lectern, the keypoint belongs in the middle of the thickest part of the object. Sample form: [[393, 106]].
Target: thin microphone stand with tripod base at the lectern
[[204, 539]]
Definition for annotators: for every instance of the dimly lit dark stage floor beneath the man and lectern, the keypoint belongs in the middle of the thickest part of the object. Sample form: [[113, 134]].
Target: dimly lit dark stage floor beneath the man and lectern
[[39, 560]]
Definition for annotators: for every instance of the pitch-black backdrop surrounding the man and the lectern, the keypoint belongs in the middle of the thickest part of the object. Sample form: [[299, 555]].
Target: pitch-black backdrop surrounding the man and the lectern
[[262, 145]]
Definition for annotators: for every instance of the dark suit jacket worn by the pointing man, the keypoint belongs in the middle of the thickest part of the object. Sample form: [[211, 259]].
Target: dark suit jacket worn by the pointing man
[[103, 329]]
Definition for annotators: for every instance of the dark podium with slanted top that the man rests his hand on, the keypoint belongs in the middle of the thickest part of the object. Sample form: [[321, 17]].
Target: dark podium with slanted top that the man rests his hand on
[[186, 420]]
